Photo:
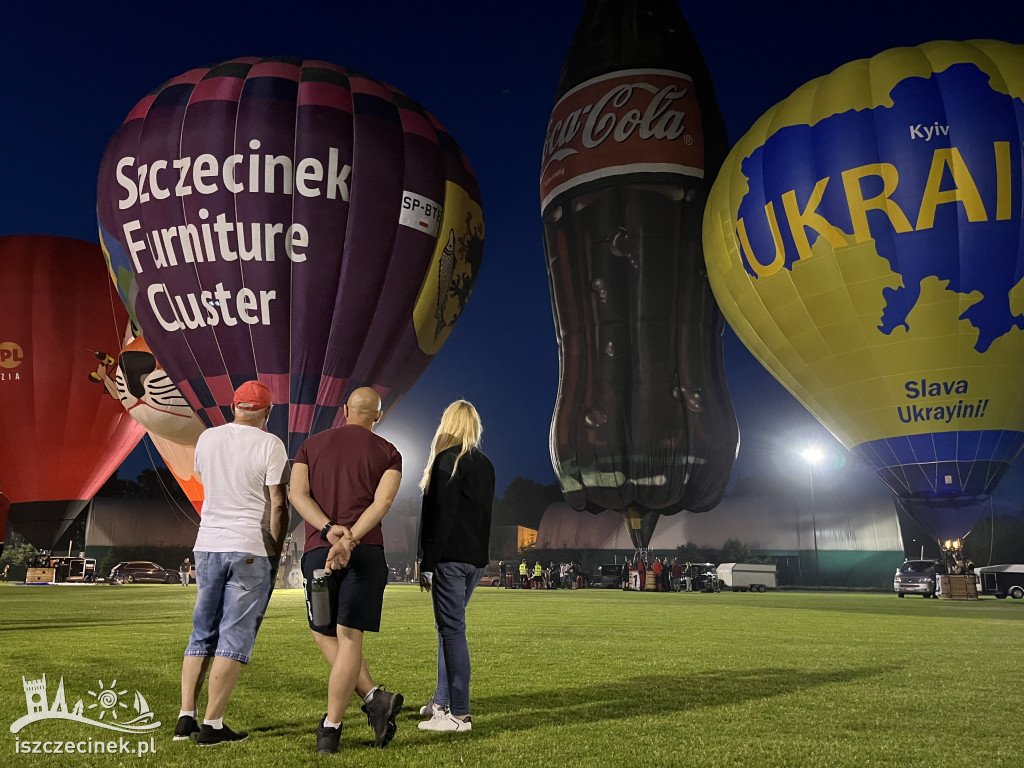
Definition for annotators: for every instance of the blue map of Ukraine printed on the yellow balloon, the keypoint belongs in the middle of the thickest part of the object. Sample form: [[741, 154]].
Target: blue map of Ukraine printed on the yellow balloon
[[978, 257]]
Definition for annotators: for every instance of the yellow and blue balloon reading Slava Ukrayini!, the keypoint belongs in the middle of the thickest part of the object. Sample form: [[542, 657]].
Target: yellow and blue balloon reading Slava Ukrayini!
[[865, 240]]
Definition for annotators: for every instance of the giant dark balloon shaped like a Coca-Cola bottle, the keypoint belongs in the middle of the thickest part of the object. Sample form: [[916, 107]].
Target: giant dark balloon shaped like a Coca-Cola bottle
[[644, 423]]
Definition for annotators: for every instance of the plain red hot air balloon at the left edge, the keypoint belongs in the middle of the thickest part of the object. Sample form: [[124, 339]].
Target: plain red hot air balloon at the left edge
[[61, 436]]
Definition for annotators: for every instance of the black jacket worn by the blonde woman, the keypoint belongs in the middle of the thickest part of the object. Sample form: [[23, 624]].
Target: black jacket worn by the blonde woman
[[455, 526]]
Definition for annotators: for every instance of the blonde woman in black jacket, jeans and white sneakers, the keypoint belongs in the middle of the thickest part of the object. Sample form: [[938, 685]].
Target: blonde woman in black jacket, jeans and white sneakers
[[458, 490]]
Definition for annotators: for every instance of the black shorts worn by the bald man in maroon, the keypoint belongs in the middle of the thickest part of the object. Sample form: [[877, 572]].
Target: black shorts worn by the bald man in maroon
[[357, 592]]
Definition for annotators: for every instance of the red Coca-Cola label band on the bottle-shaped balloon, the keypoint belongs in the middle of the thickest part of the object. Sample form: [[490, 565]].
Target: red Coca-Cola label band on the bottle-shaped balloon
[[630, 121]]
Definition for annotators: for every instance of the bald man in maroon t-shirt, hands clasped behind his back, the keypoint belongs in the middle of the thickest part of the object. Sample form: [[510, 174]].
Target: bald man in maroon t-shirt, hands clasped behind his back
[[344, 484]]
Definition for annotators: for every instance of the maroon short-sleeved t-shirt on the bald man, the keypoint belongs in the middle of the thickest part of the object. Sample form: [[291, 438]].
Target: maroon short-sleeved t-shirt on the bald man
[[346, 467]]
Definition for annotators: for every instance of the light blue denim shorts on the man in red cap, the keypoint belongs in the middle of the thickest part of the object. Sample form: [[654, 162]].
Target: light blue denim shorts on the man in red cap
[[234, 590]]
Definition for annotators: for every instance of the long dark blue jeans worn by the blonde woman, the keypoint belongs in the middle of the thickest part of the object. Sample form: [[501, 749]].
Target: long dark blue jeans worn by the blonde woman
[[452, 587]]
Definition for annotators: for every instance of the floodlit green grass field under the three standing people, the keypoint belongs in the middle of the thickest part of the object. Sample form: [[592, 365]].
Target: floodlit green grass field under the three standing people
[[589, 678]]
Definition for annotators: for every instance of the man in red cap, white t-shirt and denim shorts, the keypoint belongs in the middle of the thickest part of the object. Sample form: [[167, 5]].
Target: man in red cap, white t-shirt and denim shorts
[[244, 472]]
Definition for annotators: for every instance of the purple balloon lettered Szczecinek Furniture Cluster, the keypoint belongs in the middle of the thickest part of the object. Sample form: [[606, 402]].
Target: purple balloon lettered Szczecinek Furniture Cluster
[[292, 222]]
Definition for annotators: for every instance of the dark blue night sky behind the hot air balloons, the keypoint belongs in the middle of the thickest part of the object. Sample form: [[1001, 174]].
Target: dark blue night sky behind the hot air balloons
[[489, 72]]
